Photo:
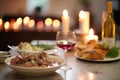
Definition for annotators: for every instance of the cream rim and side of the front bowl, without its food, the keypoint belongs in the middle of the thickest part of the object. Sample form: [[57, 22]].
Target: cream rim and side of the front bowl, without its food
[[36, 71]]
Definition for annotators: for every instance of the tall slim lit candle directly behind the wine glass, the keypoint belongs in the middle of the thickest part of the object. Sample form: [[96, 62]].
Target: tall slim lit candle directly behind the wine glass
[[65, 21]]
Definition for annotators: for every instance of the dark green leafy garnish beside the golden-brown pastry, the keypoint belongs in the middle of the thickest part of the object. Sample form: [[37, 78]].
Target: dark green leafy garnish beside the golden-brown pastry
[[114, 52]]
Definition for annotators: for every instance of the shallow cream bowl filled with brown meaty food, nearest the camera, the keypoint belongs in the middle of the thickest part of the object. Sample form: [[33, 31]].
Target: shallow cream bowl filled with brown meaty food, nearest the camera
[[35, 64]]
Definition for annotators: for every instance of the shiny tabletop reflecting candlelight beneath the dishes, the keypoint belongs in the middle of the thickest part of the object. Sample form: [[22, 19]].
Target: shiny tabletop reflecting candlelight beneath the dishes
[[81, 70]]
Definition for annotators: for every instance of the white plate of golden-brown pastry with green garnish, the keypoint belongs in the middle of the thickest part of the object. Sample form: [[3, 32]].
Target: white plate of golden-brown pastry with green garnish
[[93, 51]]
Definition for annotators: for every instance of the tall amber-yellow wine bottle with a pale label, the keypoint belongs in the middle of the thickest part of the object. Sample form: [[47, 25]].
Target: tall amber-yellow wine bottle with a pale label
[[109, 28]]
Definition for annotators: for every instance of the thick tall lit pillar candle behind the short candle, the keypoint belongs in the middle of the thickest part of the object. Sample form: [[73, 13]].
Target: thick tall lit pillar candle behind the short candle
[[84, 21]]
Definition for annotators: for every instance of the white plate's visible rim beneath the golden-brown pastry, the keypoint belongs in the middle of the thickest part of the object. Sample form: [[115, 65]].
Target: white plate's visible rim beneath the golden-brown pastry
[[105, 60]]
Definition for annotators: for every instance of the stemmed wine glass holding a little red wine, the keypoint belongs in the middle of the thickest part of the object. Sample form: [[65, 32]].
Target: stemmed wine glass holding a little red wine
[[65, 41]]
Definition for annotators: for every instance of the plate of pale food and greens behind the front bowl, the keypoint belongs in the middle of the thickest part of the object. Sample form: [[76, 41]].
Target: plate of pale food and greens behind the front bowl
[[26, 47]]
